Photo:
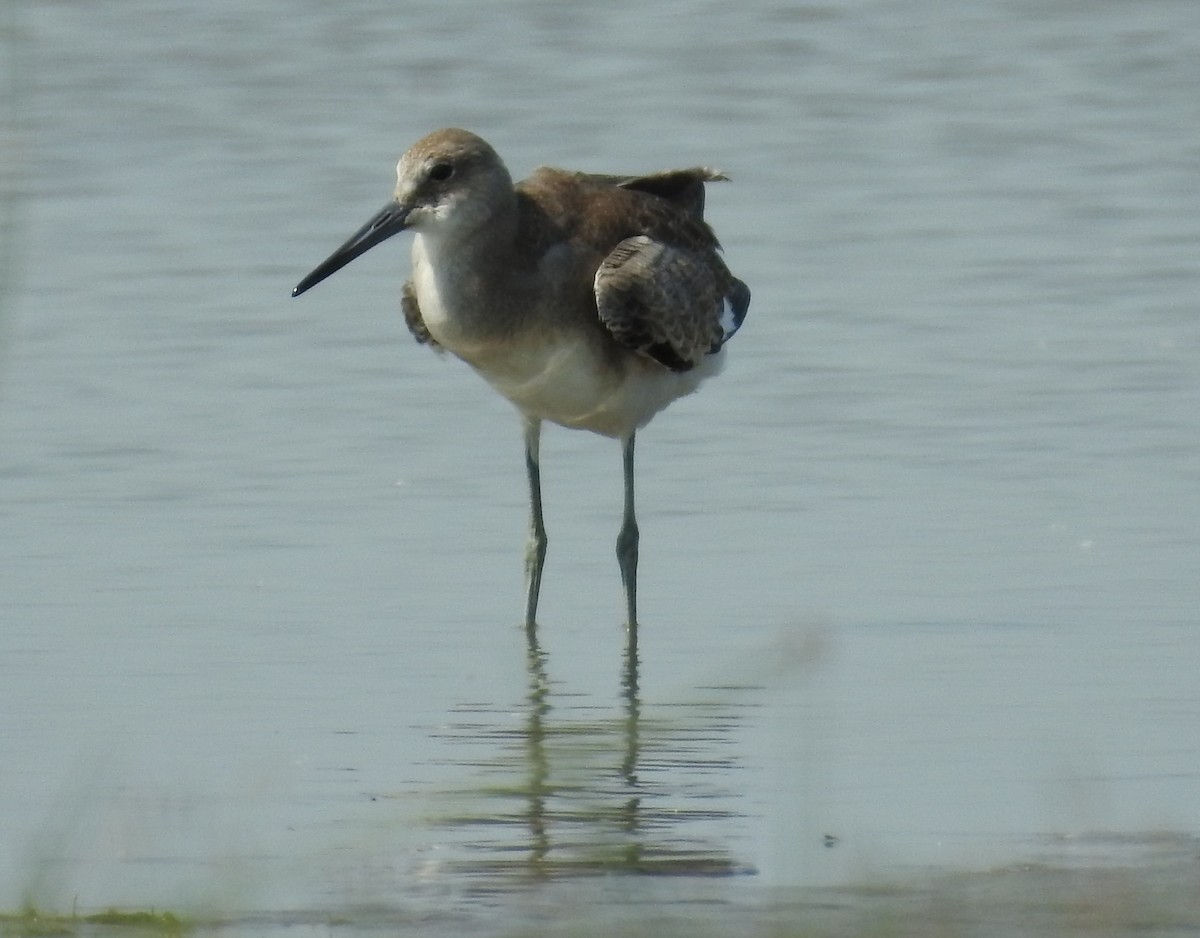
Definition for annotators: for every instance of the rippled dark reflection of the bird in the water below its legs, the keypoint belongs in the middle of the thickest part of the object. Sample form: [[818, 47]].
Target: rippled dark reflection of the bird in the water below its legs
[[578, 790]]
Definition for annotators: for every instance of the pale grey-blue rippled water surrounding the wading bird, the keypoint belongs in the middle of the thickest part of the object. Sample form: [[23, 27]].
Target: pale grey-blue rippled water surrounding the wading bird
[[920, 570]]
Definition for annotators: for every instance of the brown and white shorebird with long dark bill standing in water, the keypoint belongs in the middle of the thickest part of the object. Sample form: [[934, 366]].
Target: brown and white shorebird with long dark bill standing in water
[[592, 302]]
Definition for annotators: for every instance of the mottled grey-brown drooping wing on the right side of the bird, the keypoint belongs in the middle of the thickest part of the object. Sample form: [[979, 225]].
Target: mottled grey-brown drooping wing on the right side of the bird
[[670, 304]]
